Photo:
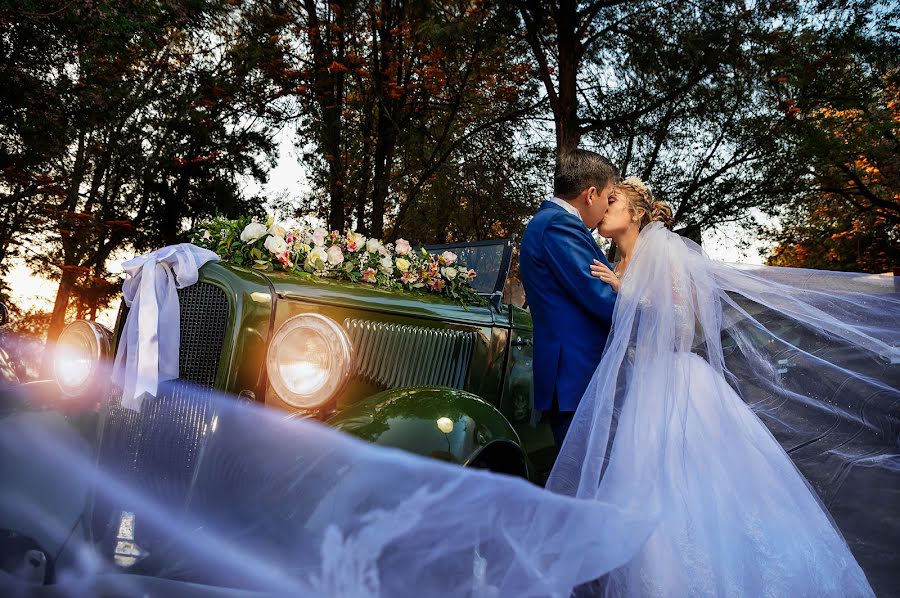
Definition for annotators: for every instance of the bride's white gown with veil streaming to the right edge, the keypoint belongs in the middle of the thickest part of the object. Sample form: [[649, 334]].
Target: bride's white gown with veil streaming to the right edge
[[665, 426]]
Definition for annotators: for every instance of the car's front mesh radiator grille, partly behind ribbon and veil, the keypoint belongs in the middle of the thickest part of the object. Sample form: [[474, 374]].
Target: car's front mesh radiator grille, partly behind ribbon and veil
[[157, 449]]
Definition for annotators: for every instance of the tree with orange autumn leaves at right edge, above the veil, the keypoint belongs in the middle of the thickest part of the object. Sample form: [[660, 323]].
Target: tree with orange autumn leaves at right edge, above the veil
[[844, 95]]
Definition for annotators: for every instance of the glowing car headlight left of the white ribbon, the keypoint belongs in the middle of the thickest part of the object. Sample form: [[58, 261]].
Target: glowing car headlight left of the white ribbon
[[80, 350]]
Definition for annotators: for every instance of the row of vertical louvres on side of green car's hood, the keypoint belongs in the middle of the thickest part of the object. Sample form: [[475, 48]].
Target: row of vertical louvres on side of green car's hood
[[395, 356]]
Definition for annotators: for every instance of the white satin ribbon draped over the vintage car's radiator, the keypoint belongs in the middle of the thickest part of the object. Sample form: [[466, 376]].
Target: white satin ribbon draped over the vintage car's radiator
[[148, 348]]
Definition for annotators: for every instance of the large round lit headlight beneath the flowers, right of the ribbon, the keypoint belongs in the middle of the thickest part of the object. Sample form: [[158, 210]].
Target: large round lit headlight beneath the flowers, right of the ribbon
[[309, 360]]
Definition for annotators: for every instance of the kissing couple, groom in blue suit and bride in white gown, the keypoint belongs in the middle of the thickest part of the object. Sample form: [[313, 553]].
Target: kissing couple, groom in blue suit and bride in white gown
[[628, 363]]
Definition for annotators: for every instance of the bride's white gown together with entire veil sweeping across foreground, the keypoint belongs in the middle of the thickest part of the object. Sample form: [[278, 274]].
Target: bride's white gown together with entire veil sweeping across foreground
[[668, 484]]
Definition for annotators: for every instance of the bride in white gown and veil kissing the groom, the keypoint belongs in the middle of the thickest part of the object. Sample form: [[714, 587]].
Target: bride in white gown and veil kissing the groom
[[660, 427]]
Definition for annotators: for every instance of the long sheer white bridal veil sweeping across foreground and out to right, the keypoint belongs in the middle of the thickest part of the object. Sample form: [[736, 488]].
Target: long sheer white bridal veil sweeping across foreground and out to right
[[290, 506]]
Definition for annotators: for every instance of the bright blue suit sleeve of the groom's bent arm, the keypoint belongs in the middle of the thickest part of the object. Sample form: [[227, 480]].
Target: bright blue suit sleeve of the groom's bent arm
[[570, 252]]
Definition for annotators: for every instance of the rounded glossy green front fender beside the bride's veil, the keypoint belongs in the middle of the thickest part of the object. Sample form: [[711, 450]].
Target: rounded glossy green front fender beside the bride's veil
[[442, 423]]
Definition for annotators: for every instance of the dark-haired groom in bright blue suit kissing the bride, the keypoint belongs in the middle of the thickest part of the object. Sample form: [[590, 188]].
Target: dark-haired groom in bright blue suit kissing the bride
[[571, 310]]
